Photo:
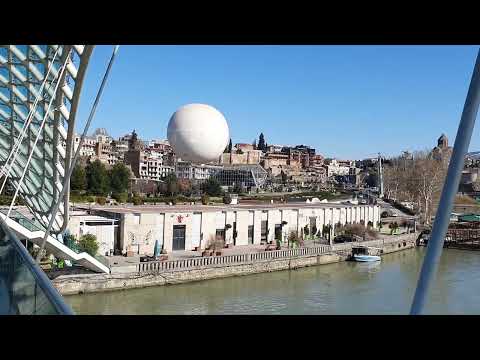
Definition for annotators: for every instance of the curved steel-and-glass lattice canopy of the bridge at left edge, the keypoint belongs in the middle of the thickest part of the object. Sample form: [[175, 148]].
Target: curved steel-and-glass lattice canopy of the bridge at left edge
[[40, 87]]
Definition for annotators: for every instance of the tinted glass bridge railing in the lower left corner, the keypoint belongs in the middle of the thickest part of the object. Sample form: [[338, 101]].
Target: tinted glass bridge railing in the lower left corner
[[24, 287]]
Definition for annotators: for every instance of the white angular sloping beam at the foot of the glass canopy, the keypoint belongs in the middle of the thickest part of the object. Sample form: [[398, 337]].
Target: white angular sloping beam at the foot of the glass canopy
[[25, 228]]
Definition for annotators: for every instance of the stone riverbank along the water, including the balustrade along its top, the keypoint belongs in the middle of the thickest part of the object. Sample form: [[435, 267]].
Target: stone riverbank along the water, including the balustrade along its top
[[249, 264]]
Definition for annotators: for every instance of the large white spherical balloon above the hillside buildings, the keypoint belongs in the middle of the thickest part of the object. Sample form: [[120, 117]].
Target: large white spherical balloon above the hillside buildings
[[198, 133]]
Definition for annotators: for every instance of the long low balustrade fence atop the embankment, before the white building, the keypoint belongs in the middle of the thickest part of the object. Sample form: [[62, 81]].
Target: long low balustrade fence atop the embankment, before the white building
[[156, 266]]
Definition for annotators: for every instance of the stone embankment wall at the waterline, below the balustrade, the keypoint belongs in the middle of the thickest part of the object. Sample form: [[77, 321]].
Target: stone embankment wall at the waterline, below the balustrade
[[68, 285]]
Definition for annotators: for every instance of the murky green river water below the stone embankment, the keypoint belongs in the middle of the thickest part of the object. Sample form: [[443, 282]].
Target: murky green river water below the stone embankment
[[386, 287]]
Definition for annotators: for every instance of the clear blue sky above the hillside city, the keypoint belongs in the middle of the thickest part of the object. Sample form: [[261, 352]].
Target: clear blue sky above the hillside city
[[346, 101]]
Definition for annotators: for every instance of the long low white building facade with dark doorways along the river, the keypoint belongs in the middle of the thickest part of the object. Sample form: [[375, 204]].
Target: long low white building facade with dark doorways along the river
[[195, 227]]
